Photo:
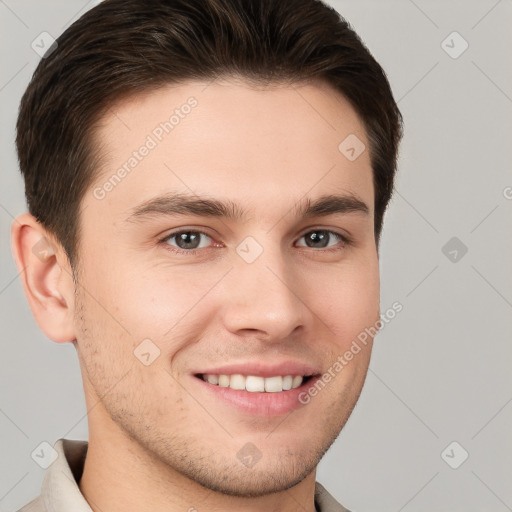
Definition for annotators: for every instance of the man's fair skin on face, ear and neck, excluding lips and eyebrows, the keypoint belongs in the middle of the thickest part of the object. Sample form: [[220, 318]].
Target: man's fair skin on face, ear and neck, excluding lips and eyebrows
[[155, 442]]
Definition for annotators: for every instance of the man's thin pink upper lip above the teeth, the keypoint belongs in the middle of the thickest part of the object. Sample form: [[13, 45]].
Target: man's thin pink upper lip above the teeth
[[261, 369]]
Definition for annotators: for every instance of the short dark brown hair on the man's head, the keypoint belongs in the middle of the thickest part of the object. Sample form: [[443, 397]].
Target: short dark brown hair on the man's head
[[121, 47]]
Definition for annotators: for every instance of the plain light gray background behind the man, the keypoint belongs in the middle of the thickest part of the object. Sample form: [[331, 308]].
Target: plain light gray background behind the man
[[440, 371]]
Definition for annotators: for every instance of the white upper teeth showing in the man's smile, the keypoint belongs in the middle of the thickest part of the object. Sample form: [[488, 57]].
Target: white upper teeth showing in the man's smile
[[254, 383]]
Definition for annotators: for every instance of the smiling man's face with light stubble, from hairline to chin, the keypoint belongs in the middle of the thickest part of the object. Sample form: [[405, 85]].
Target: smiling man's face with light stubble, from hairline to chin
[[238, 277]]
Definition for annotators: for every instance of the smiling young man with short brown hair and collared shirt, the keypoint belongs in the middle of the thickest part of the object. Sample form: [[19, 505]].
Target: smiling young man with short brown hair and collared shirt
[[206, 183]]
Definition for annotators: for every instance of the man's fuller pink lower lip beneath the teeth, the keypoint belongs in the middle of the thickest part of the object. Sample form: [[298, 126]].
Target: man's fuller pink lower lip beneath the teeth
[[259, 403]]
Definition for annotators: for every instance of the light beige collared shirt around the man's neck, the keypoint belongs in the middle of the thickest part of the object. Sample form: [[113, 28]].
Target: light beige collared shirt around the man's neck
[[60, 491]]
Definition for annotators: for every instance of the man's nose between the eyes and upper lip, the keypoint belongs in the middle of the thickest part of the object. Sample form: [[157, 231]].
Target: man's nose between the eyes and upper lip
[[263, 299]]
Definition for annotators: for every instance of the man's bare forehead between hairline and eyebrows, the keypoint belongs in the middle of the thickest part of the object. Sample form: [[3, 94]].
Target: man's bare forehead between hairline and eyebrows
[[228, 138]]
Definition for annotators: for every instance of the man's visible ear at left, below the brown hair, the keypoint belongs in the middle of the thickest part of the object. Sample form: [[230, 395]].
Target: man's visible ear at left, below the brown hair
[[46, 277]]
